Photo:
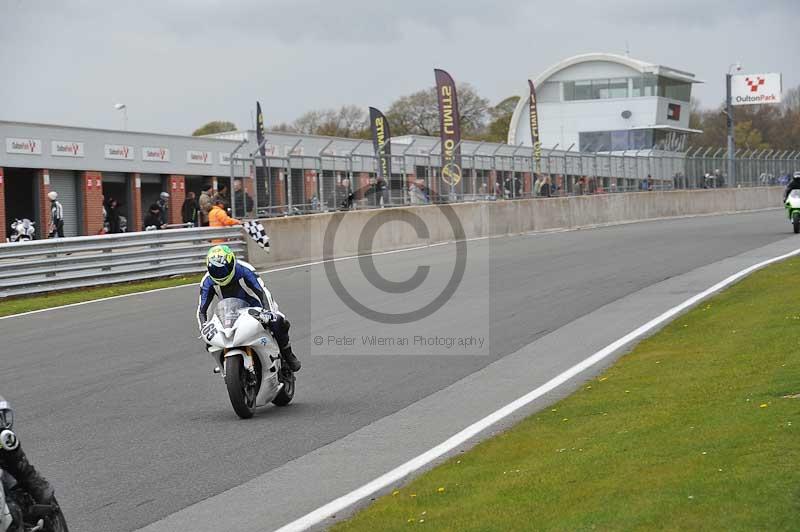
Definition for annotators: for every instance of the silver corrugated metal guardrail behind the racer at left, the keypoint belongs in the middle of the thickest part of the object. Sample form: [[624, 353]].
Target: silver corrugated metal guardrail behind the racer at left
[[65, 263]]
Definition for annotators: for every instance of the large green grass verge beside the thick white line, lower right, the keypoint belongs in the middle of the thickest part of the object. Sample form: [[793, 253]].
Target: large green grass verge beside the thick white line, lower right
[[690, 431]]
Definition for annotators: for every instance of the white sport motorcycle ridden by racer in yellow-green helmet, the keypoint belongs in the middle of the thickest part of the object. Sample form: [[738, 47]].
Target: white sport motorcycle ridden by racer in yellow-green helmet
[[248, 357]]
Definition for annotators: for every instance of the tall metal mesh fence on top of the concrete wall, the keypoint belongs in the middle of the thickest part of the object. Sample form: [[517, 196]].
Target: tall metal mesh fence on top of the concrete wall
[[297, 183]]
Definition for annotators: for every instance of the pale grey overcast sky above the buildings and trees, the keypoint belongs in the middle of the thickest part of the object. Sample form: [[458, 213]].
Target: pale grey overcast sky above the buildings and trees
[[180, 63]]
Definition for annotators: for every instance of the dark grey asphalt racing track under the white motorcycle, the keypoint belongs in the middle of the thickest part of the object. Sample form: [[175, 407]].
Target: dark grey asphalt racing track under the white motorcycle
[[117, 405]]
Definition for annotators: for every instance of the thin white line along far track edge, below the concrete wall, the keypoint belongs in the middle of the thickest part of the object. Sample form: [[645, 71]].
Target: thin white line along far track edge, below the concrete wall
[[416, 248]]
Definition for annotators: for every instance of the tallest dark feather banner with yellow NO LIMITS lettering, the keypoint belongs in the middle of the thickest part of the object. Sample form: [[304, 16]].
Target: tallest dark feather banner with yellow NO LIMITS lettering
[[450, 127]]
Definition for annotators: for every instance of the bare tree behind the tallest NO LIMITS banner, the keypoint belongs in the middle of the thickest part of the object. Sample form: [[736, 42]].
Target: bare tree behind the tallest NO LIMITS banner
[[418, 113]]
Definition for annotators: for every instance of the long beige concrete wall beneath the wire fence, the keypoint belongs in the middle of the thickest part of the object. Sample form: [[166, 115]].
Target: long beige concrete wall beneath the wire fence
[[300, 238]]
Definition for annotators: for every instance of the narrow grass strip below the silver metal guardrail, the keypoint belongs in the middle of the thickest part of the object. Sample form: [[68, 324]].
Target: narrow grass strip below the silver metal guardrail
[[17, 305]]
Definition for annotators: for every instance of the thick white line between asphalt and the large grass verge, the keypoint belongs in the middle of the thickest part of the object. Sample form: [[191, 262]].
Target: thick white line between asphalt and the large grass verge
[[337, 505]]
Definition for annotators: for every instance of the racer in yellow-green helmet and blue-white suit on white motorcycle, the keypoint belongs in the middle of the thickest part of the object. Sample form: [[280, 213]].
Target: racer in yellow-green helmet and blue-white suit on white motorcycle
[[229, 277]]
